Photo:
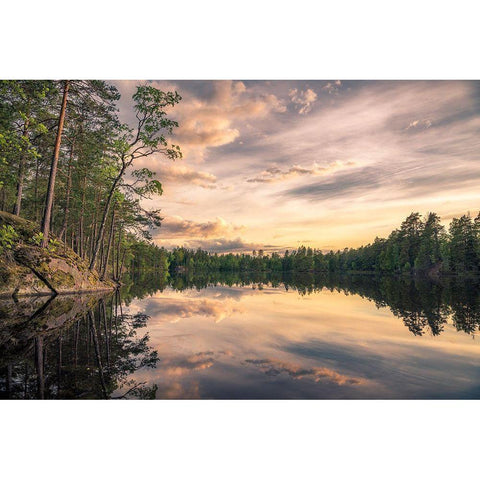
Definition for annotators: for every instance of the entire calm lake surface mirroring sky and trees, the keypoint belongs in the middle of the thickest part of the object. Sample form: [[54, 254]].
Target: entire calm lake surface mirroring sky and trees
[[240, 337]]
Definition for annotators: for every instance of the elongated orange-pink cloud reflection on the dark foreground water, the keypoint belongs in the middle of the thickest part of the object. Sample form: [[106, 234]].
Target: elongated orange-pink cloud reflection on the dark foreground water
[[273, 368]]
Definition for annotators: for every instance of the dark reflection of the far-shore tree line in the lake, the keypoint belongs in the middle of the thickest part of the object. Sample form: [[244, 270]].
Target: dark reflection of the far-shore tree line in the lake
[[425, 305]]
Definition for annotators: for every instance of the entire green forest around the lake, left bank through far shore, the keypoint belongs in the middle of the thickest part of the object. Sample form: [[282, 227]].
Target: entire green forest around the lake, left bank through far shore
[[70, 165]]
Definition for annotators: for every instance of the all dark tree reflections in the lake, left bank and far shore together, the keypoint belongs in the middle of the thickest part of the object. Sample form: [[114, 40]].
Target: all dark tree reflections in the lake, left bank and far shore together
[[86, 347]]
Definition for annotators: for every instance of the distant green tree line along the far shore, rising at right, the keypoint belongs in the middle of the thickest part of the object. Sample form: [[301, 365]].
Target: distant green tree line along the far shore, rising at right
[[419, 245]]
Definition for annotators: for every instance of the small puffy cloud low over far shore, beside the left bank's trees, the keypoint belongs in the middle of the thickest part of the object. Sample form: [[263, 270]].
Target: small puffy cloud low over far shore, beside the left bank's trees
[[178, 227]]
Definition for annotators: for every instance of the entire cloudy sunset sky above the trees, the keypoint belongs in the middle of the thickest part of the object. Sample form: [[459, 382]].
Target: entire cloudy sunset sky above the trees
[[328, 164]]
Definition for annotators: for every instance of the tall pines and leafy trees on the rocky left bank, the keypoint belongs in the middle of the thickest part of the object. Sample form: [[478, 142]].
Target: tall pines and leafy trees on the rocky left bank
[[69, 164]]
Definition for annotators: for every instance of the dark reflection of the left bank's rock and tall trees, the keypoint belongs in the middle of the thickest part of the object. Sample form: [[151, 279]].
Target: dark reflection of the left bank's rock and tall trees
[[72, 347]]
